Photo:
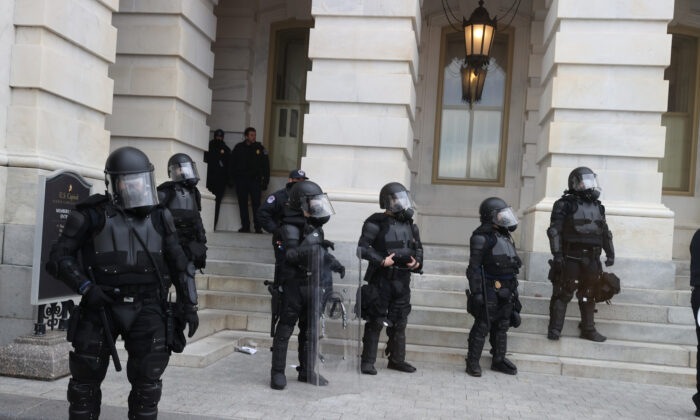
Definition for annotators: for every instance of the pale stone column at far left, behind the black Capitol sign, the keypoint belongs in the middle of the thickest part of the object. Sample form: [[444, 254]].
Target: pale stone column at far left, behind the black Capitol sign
[[53, 104]]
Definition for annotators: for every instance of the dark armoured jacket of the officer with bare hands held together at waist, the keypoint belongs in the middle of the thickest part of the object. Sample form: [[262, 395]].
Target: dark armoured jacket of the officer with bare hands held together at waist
[[382, 235]]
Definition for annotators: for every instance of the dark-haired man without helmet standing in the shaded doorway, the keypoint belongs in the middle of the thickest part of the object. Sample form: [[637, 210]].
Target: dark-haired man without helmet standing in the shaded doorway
[[250, 173]]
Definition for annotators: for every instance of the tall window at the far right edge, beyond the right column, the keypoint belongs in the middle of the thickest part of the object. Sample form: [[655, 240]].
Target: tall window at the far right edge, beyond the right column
[[681, 120]]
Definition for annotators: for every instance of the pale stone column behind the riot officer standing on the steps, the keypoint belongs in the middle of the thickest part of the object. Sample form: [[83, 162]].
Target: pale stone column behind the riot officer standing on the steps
[[602, 78]]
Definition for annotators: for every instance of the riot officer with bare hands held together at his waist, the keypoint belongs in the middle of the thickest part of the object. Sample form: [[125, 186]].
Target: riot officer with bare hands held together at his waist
[[390, 241]]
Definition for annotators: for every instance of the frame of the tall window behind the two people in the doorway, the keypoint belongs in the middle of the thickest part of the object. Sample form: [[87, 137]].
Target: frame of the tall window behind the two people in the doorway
[[270, 89]]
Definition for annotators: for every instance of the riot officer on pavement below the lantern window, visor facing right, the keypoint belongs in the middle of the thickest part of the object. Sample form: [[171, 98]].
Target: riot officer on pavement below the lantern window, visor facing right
[[493, 287]]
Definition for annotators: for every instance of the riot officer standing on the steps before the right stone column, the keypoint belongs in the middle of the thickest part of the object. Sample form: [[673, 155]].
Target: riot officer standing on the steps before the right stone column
[[577, 234]]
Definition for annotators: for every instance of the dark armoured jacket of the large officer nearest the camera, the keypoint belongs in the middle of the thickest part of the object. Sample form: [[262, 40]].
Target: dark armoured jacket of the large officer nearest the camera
[[97, 236]]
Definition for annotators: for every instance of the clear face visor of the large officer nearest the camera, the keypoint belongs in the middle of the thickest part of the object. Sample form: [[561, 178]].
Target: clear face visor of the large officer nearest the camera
[[133, 190]]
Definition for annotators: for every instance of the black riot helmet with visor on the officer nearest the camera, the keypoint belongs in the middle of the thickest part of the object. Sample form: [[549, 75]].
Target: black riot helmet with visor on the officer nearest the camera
[[130, 181]]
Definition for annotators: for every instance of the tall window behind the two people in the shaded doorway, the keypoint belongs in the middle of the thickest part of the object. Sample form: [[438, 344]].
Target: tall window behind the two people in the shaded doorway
[[289, 63]]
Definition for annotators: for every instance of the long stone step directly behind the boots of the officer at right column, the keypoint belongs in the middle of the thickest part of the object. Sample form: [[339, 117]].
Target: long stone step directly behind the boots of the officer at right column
[[457, 300]]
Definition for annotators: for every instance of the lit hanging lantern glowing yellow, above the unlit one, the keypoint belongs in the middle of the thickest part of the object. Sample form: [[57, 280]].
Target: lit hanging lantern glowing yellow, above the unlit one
[[479, 32]]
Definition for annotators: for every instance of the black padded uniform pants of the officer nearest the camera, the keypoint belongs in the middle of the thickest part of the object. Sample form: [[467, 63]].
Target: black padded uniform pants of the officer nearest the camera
[[142, 326]]
